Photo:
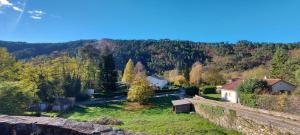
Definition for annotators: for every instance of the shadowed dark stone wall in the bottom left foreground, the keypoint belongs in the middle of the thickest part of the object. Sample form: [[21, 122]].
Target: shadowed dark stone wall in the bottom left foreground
[[23, 125]]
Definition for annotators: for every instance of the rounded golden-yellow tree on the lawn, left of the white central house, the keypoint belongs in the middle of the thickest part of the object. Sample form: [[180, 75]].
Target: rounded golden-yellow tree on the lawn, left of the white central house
[[140, 90]]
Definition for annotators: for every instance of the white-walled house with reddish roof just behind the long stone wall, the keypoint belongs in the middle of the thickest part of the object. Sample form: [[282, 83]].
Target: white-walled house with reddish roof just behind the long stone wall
[[228, 91]]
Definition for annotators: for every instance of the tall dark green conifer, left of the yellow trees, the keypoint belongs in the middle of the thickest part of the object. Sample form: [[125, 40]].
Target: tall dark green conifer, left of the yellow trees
[[107, 71]]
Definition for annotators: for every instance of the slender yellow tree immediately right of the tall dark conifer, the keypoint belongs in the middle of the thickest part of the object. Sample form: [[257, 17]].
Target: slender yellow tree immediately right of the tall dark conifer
[[128, 74]]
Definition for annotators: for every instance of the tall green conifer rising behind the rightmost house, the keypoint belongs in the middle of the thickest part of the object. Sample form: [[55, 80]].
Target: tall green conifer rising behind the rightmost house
[[278, 63]]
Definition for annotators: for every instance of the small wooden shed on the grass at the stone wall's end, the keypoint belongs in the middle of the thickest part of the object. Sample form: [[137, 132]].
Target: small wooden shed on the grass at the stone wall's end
[[182, 106]]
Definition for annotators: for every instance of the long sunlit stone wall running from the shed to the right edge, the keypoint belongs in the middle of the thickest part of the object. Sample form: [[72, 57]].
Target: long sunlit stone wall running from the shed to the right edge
[[247, 120]]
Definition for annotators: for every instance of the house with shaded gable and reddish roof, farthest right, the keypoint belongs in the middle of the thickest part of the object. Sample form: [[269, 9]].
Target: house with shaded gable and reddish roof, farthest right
[[278, 86]]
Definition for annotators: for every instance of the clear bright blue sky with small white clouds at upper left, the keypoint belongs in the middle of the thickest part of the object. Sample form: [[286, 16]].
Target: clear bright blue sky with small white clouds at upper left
[[196, 20]]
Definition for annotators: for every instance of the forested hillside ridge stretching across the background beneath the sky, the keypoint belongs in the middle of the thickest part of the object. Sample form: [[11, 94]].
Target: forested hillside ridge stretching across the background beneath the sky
[[162, 55]]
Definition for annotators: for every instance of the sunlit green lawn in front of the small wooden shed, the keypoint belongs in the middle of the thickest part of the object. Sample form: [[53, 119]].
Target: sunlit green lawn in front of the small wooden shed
[[157, 119]]
